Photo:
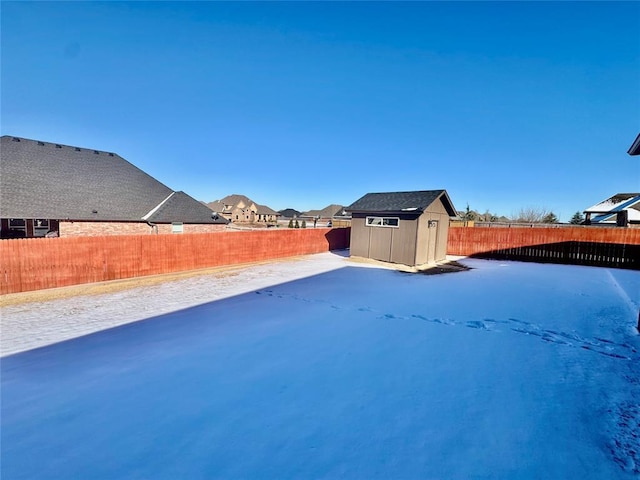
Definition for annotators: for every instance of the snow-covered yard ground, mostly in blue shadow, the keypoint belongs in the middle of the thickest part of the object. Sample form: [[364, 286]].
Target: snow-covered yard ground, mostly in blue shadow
[[323, 368]]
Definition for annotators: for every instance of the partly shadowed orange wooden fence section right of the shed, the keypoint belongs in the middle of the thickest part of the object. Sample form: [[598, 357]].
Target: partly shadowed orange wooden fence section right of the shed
[[600, 246]]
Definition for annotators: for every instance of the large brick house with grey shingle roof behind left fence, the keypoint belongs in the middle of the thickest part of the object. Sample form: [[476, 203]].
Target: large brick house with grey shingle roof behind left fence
[[49, 189]]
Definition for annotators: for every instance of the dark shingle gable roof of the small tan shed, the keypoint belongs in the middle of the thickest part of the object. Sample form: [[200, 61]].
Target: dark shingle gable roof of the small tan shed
[[401, 202]]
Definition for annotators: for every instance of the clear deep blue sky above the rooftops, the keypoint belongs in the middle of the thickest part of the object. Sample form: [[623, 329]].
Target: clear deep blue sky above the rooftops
[[300, 104]]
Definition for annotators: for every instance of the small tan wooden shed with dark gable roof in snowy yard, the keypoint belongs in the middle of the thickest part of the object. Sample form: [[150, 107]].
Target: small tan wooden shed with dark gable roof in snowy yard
[[410, 228]]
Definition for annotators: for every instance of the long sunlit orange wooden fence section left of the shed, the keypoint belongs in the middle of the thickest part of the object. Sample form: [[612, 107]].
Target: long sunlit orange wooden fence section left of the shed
[[39, 263]]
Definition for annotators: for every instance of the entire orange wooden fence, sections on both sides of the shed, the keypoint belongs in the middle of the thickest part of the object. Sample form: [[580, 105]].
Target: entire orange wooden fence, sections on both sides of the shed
[[31, 264]]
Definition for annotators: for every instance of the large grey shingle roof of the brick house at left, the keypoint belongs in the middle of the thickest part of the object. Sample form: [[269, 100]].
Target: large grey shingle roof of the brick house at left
[[49, 180]]
